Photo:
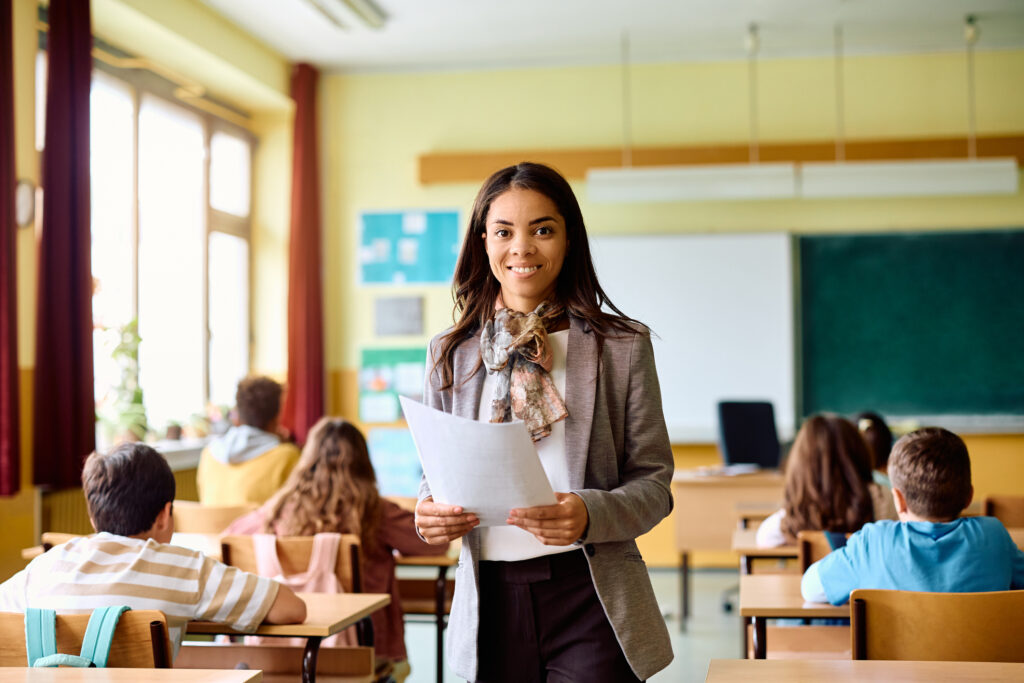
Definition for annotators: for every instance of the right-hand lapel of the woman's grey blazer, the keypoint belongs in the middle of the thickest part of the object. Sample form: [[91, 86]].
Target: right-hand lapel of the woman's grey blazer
[[581, 390]]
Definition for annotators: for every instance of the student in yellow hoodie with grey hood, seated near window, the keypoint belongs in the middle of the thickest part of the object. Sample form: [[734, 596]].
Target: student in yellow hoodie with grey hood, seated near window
[[250, 462]]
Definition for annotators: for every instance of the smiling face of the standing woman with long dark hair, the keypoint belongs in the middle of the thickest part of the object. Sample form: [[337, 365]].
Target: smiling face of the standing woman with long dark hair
[[526, 241]]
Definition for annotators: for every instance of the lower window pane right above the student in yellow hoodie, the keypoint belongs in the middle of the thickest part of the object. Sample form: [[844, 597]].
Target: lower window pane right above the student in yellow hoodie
[[229, 316]]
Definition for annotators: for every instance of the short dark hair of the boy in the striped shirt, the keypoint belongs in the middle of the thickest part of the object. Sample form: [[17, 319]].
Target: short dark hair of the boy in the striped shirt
[[126, 489]]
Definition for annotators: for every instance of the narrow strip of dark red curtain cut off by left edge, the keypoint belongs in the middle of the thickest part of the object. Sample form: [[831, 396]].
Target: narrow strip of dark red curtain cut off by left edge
[[11, 472]]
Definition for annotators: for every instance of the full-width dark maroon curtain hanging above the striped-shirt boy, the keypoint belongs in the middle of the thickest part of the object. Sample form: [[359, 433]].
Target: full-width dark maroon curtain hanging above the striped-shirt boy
[[64, 409]]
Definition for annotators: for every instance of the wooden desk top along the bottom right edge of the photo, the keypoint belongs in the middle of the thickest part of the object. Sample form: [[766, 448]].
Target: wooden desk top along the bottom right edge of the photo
[[841, 671]]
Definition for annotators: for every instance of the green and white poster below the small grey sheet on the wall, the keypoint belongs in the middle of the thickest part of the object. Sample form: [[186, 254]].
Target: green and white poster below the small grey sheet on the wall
[[387, 373]]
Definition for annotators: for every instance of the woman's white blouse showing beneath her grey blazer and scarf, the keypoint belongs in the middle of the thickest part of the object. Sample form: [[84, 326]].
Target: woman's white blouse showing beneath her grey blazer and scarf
[[511, 543]]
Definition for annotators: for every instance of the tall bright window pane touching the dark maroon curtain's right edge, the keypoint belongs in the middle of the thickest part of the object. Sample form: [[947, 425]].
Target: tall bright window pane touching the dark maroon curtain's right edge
[[111, 123]]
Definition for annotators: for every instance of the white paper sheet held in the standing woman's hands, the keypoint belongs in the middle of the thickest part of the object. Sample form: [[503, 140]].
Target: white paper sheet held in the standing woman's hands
[[487, 468]]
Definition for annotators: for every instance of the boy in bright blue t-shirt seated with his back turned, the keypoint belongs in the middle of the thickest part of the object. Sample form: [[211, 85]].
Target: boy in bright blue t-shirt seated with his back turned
[[931, 548]]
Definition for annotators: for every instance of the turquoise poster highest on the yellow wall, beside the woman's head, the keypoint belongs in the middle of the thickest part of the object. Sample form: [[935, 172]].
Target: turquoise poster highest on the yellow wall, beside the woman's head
[[408, 247]]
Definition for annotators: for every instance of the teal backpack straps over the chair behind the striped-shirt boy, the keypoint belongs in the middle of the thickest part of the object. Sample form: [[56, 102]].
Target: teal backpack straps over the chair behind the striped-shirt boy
[[41, 638]]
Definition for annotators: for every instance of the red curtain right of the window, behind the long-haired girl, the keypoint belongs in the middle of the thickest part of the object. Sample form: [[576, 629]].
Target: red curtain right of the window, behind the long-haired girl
[[305, 395]]
